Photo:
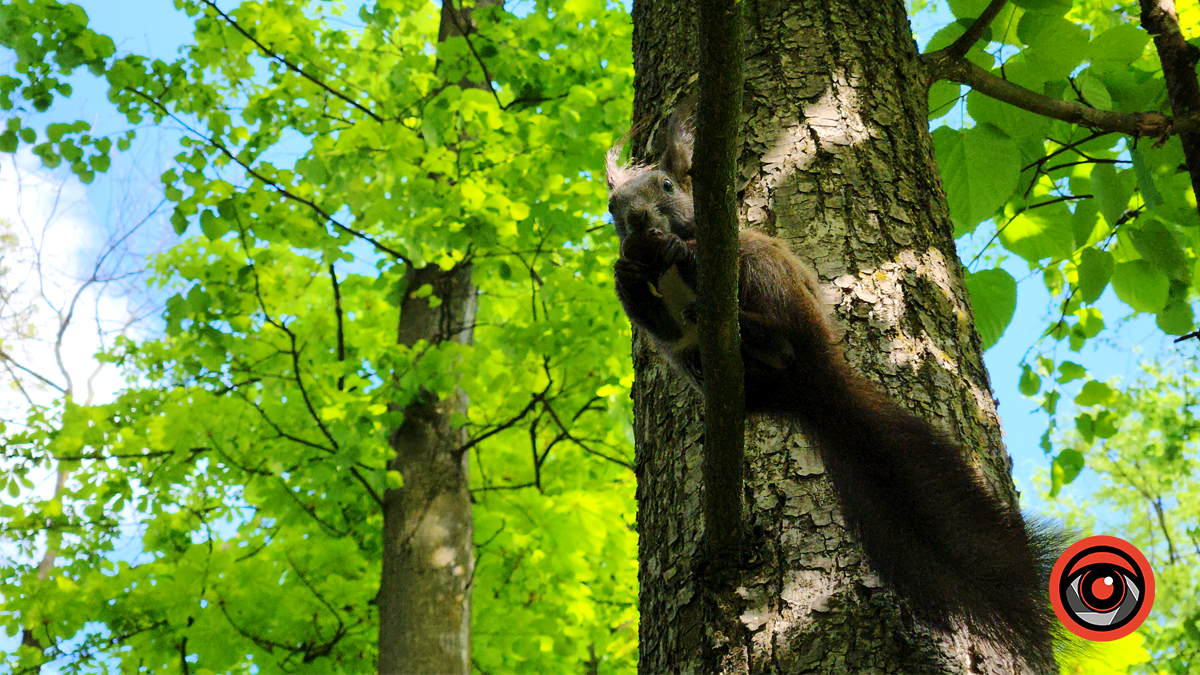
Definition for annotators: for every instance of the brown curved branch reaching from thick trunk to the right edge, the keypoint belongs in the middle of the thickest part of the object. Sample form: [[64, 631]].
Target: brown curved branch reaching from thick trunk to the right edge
[[945, 67]]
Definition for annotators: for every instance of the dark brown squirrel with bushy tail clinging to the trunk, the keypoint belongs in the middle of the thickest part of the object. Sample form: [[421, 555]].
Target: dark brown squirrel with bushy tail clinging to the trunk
[[927, 524]]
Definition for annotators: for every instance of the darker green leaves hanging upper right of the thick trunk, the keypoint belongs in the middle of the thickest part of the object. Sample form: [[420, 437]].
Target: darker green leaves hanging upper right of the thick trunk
[[1083, 210]]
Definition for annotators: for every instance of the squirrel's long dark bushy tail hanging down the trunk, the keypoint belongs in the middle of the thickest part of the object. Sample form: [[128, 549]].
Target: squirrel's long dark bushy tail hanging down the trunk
[[925, 519]]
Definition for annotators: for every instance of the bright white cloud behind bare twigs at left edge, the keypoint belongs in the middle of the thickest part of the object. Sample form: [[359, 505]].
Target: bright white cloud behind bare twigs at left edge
[[52, 277]]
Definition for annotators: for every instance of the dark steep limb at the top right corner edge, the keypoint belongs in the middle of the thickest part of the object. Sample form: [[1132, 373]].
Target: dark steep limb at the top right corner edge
[[1179, 59]]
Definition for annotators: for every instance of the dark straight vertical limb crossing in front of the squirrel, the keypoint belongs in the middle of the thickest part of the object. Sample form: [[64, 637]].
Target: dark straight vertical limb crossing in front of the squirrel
[[715, 186]]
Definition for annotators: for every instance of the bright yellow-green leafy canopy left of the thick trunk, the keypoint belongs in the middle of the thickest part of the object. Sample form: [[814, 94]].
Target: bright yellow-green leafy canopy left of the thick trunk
[[319, 164]]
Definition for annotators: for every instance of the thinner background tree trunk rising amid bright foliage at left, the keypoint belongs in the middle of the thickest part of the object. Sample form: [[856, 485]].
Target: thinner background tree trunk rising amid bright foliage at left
[[429, 554]]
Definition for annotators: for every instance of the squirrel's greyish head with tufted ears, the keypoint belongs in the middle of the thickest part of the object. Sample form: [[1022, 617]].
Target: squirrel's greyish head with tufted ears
[[658, 196]]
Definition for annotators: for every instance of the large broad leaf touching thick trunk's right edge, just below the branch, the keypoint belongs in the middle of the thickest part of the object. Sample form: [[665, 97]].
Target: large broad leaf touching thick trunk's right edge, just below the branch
[[980, 170]]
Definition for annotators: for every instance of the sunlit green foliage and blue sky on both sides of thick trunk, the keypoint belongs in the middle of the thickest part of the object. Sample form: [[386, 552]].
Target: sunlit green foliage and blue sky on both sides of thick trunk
[[1083, 271]]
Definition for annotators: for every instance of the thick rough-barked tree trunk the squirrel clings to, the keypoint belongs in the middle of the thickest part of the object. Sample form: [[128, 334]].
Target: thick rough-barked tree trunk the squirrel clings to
[[837, 160]]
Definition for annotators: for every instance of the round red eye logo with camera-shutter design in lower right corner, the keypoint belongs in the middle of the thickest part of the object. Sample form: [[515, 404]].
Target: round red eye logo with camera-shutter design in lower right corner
[[1102, 589]]
